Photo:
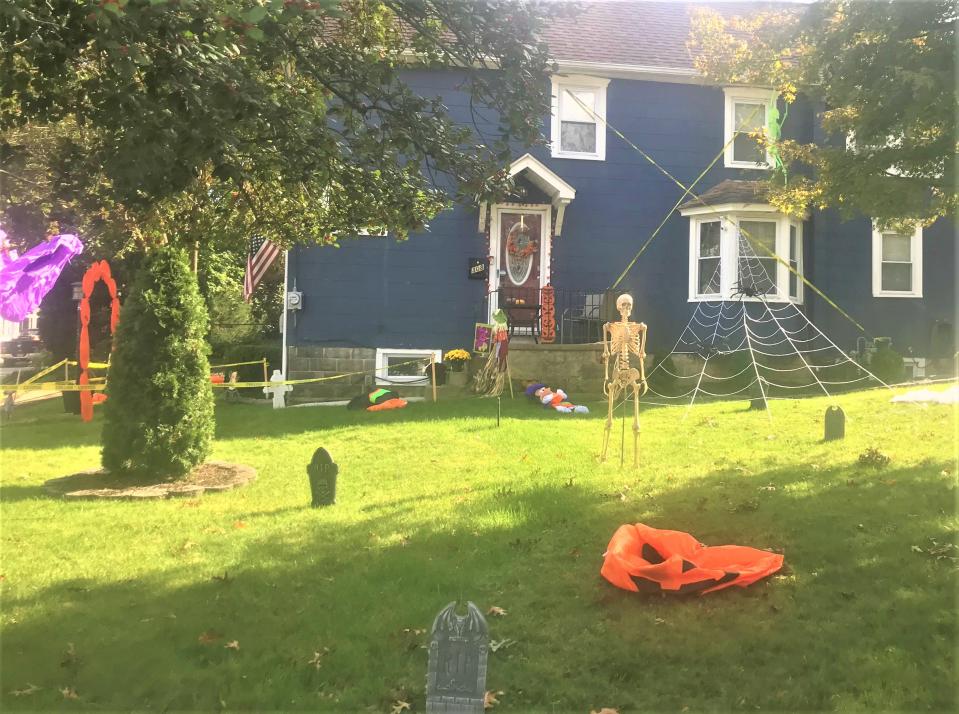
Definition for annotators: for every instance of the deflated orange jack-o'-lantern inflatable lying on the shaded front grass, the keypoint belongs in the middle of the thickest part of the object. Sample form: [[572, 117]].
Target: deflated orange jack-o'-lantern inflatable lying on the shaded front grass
[[644, 559]]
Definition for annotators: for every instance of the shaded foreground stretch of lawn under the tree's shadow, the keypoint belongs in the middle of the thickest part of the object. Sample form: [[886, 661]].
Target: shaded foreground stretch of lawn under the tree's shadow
[[332, 616]]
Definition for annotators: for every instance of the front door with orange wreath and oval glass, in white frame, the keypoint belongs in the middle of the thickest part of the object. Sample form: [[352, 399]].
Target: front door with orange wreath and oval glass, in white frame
[[521, 246]]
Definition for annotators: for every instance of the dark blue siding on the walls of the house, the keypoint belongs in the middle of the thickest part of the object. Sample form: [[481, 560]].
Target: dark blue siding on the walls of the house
[[376, 292]]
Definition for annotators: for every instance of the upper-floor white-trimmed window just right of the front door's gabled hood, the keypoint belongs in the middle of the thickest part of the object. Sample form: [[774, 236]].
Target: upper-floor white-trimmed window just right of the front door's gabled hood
[[575, 131]]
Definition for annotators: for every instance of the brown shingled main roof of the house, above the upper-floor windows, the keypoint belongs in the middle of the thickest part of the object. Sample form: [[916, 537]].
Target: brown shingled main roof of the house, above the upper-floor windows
[[632, 32]]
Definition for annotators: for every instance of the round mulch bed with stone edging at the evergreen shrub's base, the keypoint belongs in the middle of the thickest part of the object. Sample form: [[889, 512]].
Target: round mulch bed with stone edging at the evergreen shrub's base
[[209, 477]]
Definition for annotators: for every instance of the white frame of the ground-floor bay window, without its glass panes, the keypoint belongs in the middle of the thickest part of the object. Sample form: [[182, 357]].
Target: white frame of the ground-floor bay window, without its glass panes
[[730, 217]]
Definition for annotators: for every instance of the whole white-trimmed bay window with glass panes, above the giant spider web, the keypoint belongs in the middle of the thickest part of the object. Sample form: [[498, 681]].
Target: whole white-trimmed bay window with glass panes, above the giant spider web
[[733, 251]]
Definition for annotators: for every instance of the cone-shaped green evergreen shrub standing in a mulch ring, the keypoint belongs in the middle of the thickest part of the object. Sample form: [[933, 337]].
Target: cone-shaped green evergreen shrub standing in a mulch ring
[[159, 412]]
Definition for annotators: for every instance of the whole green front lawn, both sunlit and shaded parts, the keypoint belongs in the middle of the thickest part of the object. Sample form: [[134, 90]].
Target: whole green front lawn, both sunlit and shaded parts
[[131, 605]]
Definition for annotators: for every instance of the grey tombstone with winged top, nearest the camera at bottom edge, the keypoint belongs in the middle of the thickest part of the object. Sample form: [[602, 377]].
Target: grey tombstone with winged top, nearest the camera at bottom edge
[[456, 678]]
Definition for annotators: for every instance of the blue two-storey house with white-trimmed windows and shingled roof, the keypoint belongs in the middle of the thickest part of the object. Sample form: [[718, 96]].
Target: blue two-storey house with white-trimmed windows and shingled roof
[[587, 202]]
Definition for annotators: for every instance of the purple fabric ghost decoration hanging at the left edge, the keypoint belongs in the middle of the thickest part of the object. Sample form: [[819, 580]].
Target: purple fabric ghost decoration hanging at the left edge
[[26, 279]]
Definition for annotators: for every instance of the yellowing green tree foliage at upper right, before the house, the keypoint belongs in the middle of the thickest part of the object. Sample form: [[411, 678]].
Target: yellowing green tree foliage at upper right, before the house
[[885, 73]]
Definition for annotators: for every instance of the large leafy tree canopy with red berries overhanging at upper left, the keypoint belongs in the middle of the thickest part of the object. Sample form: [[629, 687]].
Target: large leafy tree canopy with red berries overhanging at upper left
[[291, 118]]
